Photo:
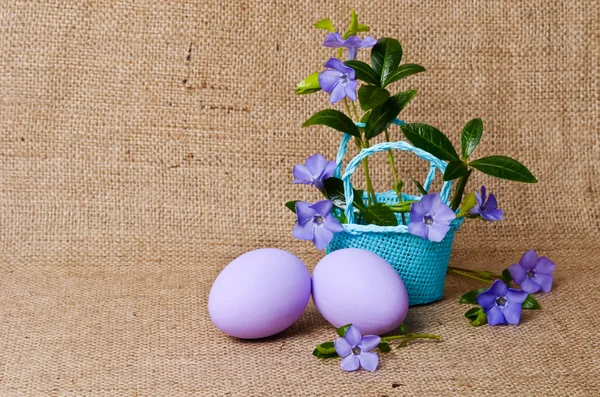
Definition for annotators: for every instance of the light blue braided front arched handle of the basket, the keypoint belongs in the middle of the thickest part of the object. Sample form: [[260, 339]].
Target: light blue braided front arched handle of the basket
[[381, 147]]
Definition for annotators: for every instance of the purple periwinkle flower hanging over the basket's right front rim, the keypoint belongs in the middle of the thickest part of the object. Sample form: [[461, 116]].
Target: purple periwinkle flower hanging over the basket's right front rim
[[430, 218]]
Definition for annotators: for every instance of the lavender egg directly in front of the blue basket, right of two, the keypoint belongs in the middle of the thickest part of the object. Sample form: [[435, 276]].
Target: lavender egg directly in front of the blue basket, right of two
[[354, 286]]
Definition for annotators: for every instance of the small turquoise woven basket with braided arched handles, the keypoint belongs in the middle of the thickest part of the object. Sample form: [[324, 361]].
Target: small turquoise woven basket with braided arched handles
[[421, 263]]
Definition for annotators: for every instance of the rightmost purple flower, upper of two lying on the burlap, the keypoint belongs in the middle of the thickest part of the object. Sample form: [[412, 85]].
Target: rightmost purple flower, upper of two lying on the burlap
[[533, 273]]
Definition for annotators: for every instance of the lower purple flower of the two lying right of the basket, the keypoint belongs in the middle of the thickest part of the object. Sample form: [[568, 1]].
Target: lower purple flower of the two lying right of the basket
[[502, 305]]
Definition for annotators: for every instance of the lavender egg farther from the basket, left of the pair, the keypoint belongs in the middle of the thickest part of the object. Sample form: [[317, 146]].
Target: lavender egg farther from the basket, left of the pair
[[259, 294]]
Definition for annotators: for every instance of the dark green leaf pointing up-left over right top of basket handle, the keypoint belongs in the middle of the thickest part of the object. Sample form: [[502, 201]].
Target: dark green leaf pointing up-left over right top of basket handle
[[430, 139]]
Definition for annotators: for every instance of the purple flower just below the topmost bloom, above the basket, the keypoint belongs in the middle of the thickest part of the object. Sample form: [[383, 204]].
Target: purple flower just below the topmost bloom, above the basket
[[340, 82]]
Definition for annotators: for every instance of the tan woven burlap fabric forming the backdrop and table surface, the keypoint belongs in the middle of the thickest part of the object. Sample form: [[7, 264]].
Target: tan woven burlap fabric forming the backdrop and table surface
[[144, 145]]
